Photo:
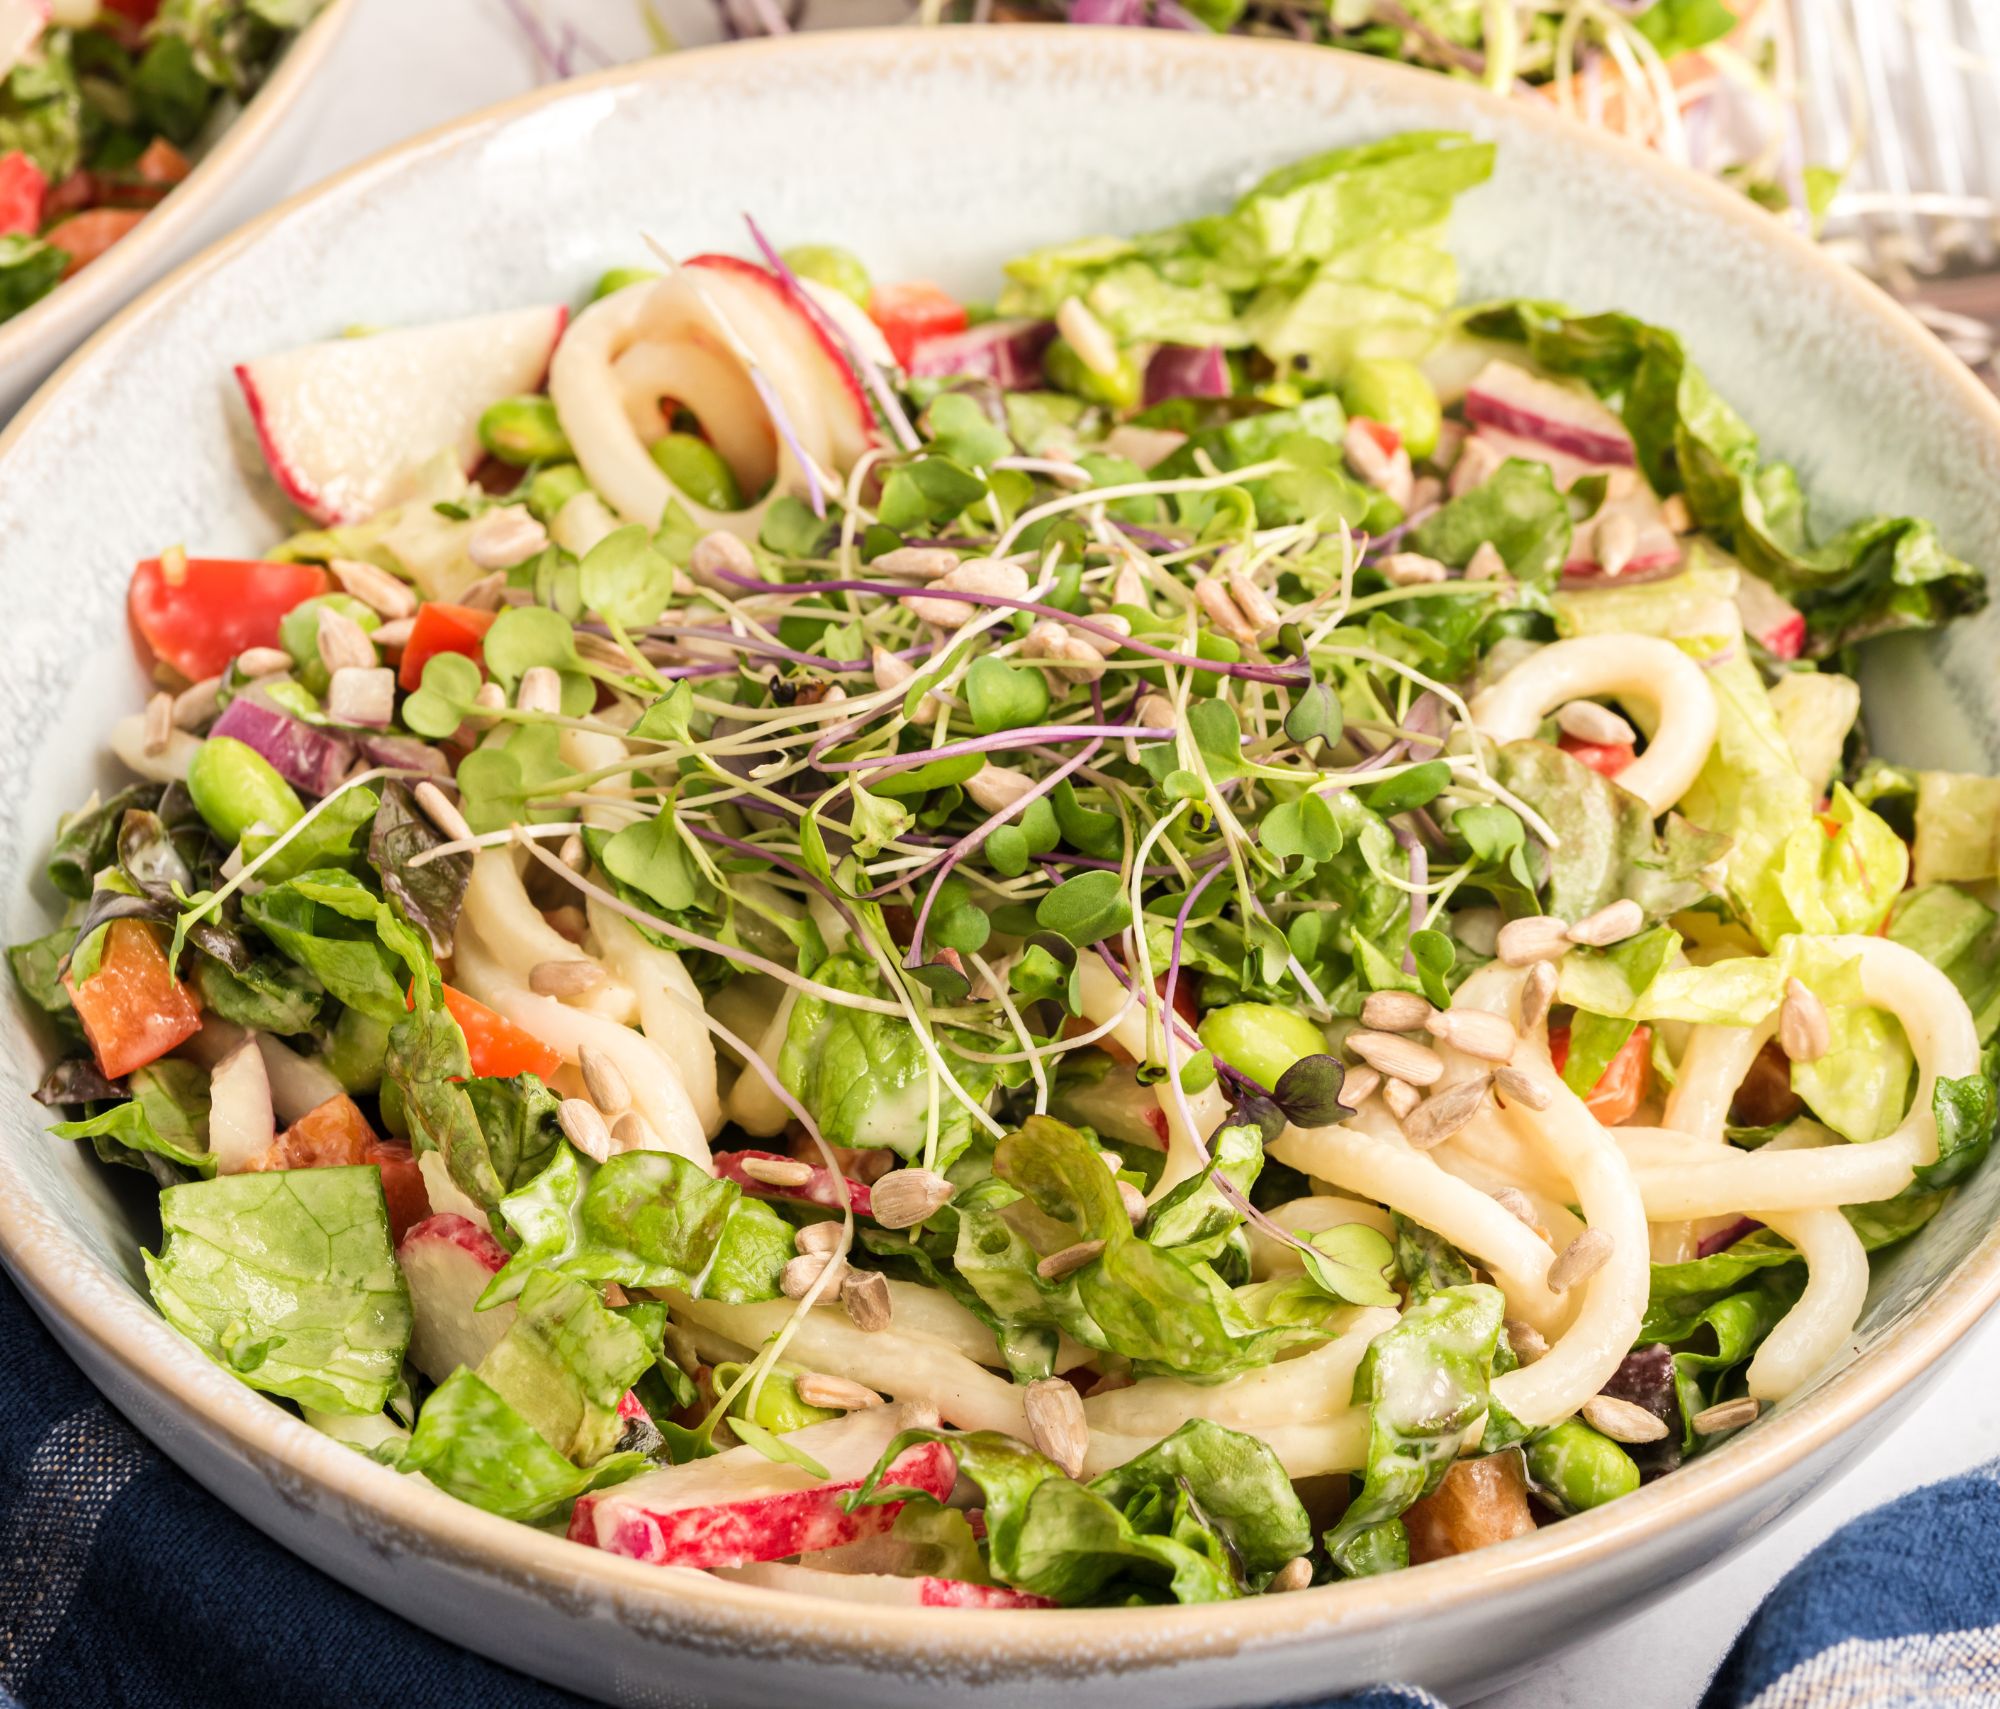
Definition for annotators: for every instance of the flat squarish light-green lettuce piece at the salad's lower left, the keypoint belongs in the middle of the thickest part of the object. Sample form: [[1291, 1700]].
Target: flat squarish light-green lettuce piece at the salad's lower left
[[289, 1280]]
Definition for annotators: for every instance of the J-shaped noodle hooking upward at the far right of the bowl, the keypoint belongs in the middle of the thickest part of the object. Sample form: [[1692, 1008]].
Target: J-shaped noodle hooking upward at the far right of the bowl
[[1945, 1044]]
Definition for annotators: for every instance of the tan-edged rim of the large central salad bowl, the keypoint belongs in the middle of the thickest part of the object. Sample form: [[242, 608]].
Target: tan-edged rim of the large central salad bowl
[[97, 1308]]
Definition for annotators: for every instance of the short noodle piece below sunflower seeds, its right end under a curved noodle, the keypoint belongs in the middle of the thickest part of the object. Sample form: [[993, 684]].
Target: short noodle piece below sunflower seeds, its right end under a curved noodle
[[1387, 1170]]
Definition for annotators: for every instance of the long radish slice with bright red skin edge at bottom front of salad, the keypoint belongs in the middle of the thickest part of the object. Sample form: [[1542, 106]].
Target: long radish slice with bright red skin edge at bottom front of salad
[[741, 1508]]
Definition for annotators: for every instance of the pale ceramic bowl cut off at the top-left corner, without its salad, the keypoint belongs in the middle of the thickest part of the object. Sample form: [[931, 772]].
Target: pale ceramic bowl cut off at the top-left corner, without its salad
[[243, 171]]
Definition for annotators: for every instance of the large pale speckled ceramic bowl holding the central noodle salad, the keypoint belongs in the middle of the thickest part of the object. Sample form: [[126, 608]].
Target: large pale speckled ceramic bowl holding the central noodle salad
[[933, 155]]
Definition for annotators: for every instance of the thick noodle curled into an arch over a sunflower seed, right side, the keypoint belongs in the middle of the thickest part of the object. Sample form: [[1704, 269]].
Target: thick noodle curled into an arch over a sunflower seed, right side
[[1629, 667]]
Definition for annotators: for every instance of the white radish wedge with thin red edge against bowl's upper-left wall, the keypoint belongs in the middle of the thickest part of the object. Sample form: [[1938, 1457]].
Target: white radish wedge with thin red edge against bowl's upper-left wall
[[349, 425]]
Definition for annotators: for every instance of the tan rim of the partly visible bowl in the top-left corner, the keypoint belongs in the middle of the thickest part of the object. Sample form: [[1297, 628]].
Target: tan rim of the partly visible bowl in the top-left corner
[[85, 301]]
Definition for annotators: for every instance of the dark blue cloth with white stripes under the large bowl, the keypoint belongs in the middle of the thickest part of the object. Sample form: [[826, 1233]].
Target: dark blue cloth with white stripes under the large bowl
[[125, 1586]]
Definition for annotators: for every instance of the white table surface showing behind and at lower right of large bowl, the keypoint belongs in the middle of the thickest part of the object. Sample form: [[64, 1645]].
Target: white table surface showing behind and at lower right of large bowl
[[417, 63]]
